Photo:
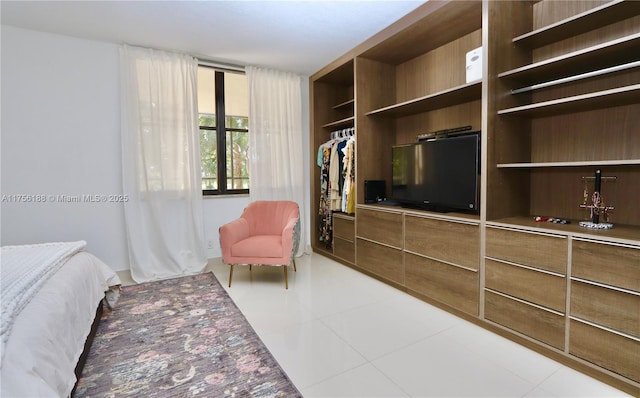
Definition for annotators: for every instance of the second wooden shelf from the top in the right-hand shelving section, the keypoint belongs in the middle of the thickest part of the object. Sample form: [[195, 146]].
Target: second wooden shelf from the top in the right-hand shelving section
[[615, 52]]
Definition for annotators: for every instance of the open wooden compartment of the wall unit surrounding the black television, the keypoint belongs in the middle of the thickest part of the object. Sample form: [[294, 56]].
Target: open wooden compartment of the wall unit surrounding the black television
[[413, 81]]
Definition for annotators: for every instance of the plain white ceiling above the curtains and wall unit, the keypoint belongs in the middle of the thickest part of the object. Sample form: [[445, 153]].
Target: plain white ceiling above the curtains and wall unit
[[296, 36]]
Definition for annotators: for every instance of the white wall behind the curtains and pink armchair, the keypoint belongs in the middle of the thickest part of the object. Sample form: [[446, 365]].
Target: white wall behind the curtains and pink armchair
[[60, 135]]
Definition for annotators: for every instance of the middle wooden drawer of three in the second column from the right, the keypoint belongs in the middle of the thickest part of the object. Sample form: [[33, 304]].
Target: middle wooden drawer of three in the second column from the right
[[537, 287]]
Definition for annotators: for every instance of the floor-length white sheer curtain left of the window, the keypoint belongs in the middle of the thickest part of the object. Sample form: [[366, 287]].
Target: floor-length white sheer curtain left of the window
[[161, 164]]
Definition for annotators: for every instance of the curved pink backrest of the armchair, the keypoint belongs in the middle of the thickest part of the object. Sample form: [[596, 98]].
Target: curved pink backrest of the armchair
[[269, 217]]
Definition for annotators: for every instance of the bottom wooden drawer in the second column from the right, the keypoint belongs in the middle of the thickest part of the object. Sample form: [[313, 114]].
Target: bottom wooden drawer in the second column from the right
[[545, 326]]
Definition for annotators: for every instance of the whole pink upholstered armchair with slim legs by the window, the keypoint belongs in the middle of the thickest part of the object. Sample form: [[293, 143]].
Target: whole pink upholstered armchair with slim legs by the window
[[267, 233]]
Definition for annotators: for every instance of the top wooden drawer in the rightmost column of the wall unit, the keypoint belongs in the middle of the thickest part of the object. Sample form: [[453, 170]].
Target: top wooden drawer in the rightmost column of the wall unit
[[606, 263]]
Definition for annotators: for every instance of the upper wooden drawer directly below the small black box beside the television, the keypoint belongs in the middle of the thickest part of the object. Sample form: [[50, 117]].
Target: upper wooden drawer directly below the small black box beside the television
[[380, 226]]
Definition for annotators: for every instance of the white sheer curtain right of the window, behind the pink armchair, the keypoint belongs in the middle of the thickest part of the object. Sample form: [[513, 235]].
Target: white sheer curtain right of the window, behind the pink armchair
[[275, 128]]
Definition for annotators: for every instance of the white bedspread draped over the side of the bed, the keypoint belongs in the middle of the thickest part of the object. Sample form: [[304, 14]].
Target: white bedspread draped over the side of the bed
[[48, 336]]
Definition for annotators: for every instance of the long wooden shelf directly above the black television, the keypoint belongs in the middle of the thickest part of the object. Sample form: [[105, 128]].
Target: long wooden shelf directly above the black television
[[457, 95]]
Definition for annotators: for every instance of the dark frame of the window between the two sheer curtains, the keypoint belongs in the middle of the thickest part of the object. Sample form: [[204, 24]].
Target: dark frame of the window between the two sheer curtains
[[221, 139]]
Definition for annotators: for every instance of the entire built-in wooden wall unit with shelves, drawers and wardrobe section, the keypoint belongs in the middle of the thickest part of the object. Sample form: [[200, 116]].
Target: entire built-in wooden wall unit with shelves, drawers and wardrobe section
[[558, 99]]
